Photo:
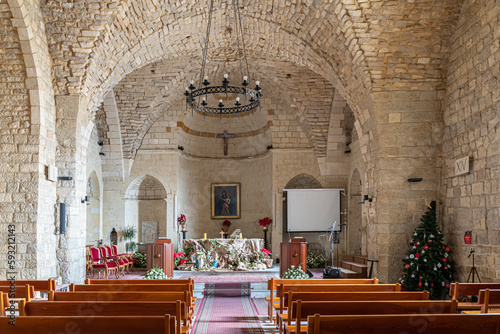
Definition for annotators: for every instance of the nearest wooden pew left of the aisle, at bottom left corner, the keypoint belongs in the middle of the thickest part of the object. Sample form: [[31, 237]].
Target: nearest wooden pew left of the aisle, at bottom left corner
[[89, 325]]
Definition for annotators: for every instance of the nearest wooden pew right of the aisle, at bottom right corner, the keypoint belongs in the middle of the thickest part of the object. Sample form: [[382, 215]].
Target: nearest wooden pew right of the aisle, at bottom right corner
[[404, 323]]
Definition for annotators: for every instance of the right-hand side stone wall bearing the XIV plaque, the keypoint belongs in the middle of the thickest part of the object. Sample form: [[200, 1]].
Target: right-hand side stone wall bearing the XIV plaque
[[471, 202]]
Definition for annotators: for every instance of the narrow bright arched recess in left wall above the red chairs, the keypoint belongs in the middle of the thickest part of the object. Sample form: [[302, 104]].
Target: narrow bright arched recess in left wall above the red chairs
[[94, 216]]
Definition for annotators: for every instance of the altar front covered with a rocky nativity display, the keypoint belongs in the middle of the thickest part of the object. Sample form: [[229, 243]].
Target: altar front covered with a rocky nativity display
[[229, 254]]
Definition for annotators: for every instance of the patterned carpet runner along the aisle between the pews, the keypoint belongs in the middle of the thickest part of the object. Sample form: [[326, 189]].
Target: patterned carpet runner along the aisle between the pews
[[227, 308]]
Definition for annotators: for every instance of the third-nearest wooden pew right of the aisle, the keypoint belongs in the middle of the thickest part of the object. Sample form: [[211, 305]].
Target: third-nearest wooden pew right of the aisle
[[346, 297]]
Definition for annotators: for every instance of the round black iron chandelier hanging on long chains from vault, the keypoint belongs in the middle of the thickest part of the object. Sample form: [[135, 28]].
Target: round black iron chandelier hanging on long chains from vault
[[243, 98]]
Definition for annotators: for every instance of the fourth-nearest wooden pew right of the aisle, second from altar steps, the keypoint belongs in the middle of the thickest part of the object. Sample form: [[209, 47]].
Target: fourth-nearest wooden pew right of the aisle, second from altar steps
[[283, 289]]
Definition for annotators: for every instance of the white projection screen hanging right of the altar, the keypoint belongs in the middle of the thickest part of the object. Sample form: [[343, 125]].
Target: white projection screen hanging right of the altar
[[313, 210]]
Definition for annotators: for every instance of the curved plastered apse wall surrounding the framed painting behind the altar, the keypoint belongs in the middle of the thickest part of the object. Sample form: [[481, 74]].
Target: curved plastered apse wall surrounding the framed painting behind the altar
[[194, 193]]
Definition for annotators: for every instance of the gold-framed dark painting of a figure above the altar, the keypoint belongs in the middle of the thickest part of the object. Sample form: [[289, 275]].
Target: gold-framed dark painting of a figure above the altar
[[226, 201]]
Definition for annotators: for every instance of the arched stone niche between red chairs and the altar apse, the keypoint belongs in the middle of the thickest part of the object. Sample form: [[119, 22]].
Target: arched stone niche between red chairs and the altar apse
[[146, 210]]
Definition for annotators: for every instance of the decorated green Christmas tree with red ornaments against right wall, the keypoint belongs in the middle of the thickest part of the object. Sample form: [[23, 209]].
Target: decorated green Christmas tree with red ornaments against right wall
[[427, 265]]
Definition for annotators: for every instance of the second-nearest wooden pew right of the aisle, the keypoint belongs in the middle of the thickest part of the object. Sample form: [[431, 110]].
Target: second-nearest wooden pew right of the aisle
[[300, 310]]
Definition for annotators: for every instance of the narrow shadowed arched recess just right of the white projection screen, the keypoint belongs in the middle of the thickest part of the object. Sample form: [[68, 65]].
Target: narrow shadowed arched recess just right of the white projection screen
[[357, 237]]
